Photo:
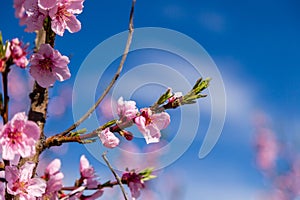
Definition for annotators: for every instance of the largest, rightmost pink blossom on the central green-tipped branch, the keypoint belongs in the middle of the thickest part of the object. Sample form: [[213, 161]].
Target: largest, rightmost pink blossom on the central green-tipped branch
[[150, 124]]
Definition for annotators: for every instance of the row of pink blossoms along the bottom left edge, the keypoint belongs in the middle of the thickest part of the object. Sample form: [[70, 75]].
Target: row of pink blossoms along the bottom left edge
[[19, 181]]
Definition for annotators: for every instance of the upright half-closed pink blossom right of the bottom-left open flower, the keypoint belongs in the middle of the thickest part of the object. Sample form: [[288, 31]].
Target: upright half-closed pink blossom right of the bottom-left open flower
[[54, 178]]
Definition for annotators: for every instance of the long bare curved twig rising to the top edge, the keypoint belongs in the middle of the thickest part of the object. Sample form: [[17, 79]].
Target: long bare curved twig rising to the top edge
[[116, 76]]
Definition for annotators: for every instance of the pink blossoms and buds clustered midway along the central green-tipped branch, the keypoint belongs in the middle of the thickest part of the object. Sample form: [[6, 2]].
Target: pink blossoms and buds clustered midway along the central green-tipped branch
[[149, 123]]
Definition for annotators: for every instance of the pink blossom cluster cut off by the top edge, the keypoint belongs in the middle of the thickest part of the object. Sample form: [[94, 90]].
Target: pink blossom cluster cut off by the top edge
[[62, 13]]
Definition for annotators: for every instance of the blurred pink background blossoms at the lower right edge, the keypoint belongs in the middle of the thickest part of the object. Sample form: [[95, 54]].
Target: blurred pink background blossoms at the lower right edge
[[279, 165]]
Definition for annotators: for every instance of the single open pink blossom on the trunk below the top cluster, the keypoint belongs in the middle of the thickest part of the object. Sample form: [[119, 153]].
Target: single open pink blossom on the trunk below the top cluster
[[48, 65]]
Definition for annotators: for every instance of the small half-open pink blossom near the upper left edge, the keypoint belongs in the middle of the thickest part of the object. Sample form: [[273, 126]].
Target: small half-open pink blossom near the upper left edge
[[18, 53]]
